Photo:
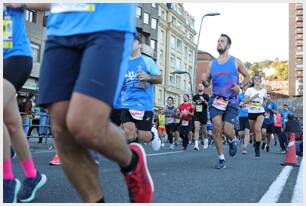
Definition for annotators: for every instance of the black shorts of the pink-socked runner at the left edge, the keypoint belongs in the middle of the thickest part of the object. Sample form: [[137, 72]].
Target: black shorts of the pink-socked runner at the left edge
[[17, 69]]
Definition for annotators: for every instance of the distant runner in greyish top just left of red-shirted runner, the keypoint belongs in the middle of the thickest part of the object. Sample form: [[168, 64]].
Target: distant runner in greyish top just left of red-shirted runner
[[170, 120]]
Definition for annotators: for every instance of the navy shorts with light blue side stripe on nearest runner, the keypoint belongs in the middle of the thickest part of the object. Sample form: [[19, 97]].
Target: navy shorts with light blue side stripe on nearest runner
[[93, 64]]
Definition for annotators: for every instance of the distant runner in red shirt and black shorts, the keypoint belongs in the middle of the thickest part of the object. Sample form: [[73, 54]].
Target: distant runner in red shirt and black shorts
[[186, 113]]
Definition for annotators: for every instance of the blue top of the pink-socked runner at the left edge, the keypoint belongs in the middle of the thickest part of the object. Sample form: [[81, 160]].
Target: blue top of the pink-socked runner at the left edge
[[21, 44]]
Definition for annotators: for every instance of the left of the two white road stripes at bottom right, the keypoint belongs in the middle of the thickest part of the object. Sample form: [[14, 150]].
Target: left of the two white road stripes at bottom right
[[274, 191]]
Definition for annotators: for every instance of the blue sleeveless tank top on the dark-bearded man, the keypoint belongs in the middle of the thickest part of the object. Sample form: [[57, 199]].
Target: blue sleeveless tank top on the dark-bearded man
[[224, 77]]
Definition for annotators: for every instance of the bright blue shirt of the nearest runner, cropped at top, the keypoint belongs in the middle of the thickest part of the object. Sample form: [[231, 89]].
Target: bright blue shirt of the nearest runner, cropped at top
[[67, 19]]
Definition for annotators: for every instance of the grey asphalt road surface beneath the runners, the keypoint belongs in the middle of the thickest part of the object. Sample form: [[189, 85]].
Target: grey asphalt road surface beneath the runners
[[179, 176]]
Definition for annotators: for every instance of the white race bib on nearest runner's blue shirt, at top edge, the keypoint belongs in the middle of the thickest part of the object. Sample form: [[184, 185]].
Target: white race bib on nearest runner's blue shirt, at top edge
[[69, 7]]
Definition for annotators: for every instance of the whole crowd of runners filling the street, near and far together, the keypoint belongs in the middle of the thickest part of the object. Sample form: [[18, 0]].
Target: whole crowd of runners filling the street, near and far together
[[99, 92]]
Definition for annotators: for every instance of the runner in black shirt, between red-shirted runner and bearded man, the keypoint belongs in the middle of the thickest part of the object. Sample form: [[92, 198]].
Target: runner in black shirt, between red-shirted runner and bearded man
[[200, 117]]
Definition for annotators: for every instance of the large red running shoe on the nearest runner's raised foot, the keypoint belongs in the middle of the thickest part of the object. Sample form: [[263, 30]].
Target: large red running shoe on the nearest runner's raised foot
[[139, 180]]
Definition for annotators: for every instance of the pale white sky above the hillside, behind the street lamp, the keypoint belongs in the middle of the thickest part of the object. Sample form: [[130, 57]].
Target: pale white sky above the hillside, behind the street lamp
[[259, 31]]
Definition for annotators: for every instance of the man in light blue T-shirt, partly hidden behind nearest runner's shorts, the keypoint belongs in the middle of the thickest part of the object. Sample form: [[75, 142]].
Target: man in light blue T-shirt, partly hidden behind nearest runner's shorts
[[137, 105]]
